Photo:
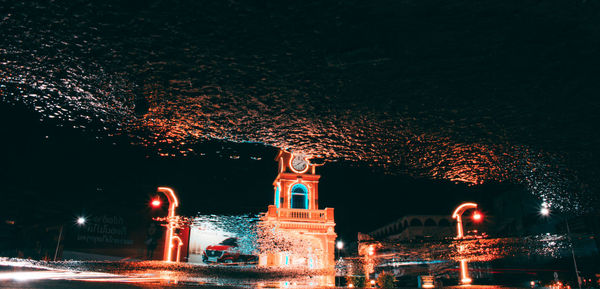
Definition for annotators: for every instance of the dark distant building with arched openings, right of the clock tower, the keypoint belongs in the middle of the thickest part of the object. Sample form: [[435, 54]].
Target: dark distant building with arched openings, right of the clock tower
[[416, 227]]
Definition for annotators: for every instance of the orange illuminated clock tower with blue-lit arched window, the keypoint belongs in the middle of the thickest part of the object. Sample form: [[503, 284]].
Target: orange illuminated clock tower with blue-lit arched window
[[296, 212]]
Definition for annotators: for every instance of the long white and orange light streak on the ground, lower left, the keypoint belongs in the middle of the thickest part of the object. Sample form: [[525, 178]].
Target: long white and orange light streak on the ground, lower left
[[155, 272]]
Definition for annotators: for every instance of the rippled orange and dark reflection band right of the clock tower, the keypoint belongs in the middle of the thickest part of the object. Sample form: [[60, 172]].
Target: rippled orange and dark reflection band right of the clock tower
[[393, 256]]
